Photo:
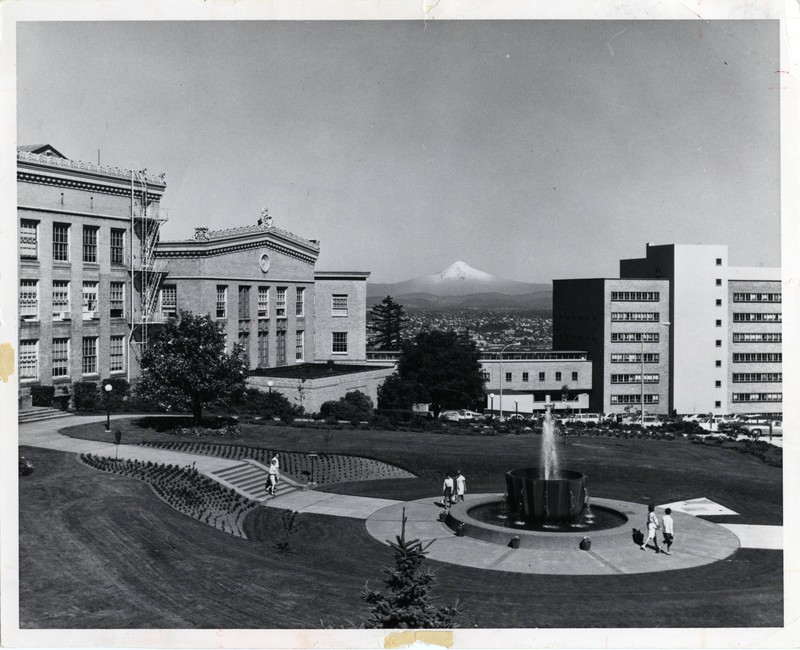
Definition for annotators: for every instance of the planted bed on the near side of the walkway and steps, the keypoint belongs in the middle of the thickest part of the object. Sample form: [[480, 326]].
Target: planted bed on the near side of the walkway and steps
[[185, 490]]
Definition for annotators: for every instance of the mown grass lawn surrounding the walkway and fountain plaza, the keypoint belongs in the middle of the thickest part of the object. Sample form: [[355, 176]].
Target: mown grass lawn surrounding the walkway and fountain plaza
[[98, 550]]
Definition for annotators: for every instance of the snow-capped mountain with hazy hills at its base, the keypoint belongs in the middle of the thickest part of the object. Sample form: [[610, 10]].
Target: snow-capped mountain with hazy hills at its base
[[461, 286]]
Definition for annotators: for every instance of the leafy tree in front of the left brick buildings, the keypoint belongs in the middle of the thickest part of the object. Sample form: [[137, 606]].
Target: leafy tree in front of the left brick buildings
[[185, 365]]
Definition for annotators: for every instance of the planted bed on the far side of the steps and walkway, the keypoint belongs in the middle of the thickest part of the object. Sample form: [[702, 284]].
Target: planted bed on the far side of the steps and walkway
[[325, 468]]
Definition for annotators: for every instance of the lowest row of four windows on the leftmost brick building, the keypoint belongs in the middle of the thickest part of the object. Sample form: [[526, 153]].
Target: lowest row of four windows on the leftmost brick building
[[60, 354]]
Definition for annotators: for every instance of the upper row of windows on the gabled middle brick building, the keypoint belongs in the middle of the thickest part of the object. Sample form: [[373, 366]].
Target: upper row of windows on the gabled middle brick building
[[168, 302]]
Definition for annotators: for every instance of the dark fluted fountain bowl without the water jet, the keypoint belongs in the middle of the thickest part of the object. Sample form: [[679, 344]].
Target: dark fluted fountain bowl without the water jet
[[534, 498]]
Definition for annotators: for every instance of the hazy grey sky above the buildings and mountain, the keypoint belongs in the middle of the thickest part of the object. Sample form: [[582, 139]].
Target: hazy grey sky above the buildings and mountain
[[529, 149]]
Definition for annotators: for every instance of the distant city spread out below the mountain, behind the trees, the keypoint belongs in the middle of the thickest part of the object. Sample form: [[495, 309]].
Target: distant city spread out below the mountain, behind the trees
[[489, 328]]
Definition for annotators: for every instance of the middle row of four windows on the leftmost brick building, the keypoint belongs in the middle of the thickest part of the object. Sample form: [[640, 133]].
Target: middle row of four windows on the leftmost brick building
[[61, 302]]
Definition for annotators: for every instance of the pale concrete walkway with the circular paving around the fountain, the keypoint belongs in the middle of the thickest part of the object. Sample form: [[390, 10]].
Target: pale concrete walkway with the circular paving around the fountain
[[696, 543]]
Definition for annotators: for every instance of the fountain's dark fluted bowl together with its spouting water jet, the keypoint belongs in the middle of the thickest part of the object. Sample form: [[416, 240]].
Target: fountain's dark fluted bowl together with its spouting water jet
[[546, 493]]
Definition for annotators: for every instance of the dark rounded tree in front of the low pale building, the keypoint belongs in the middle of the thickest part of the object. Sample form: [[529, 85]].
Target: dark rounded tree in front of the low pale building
[[440, 368]]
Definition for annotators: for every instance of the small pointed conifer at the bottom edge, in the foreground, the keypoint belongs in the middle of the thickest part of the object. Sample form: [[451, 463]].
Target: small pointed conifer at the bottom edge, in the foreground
[[408, 604]]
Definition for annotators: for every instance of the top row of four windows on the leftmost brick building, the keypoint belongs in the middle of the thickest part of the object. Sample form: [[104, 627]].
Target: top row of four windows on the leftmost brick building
[[90, 251]]
